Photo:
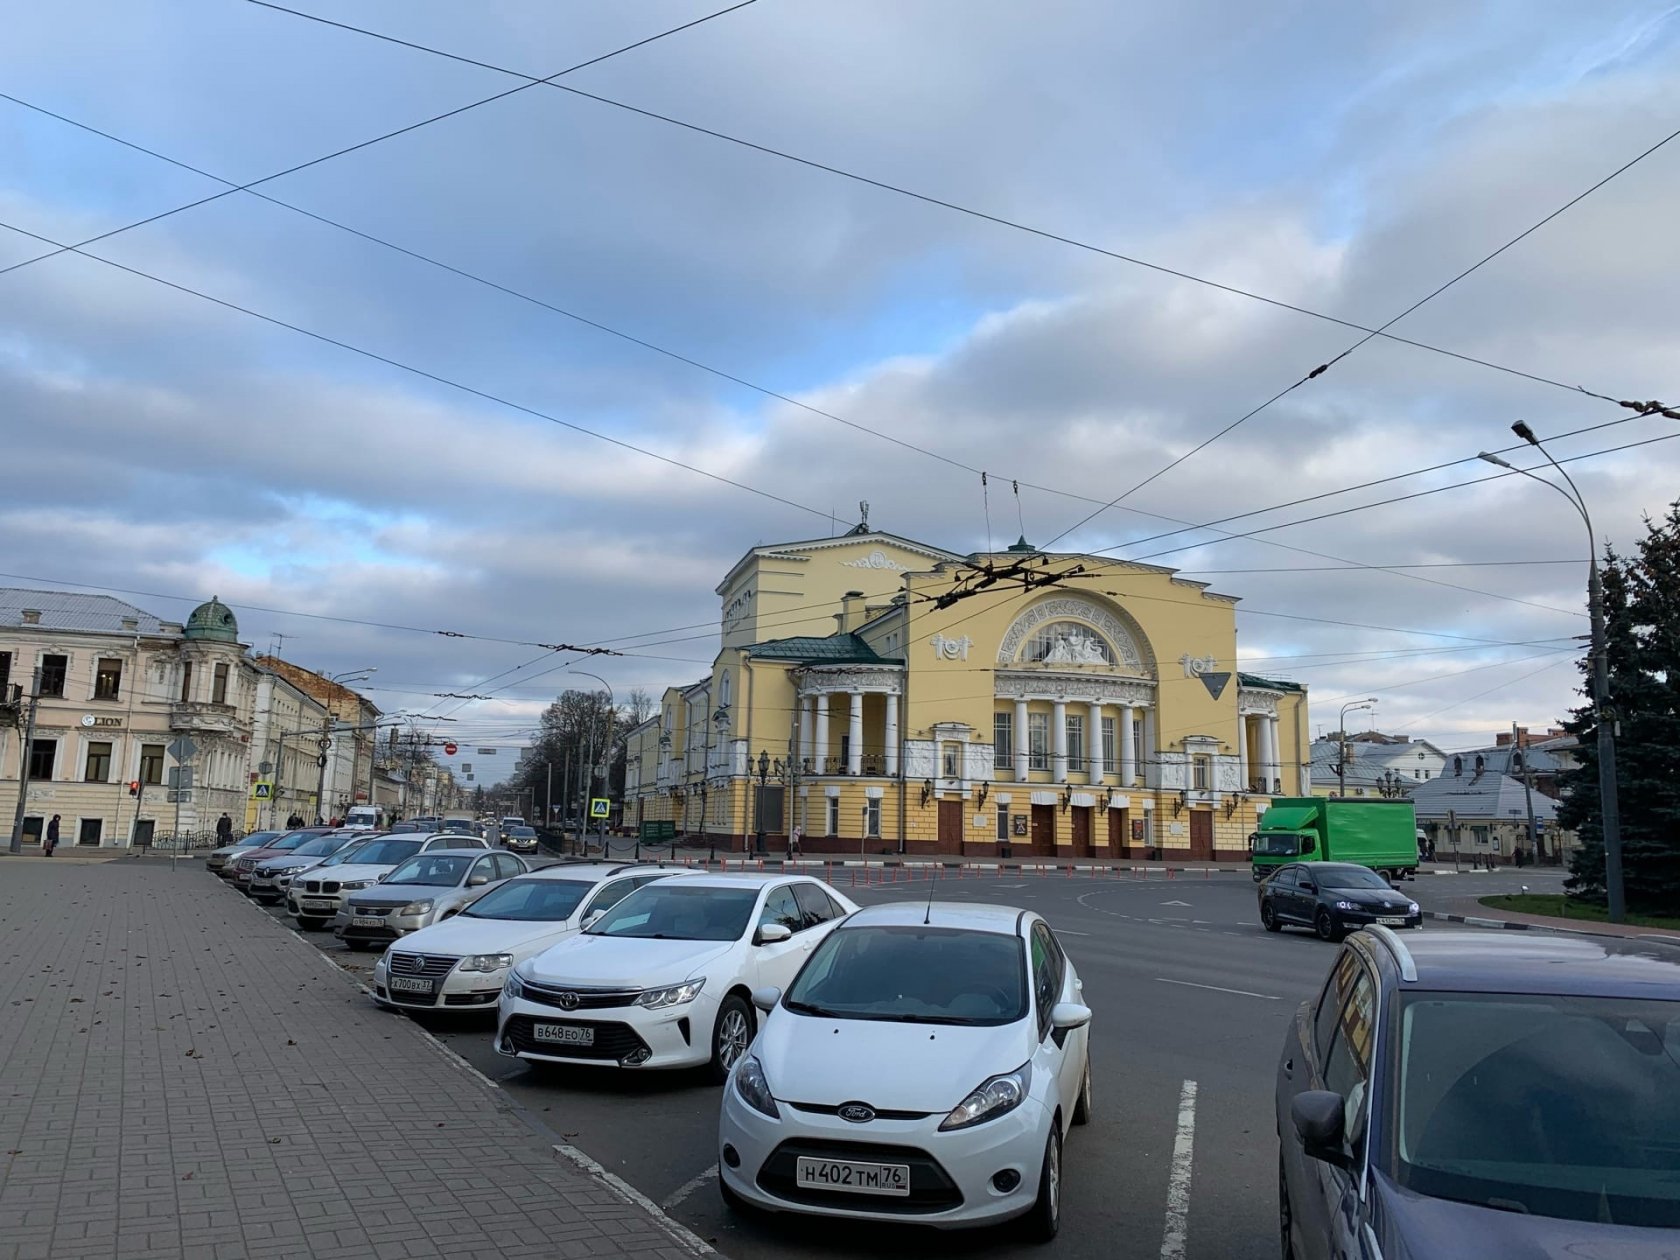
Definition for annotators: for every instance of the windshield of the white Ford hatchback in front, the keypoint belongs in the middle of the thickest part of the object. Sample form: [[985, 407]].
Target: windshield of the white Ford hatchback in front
[[915, 975]]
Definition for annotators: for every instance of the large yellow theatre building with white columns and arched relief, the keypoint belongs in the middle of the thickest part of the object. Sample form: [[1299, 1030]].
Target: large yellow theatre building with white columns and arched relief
[[886, 698]]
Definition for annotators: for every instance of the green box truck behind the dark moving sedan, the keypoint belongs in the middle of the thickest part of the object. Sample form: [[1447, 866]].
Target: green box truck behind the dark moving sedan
[[1380, 834]]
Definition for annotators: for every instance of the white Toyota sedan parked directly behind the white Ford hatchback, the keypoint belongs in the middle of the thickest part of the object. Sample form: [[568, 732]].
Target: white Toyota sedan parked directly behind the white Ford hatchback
[[666, 977]]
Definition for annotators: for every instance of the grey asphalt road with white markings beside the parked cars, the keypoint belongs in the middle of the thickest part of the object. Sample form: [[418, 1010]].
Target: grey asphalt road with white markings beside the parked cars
[[1192, 1002]]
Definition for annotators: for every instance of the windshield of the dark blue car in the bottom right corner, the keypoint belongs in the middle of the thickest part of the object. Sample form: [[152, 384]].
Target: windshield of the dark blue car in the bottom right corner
[[1551, 1106]]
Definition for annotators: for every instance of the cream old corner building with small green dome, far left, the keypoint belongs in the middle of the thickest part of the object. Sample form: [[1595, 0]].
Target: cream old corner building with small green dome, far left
[[117, 688]]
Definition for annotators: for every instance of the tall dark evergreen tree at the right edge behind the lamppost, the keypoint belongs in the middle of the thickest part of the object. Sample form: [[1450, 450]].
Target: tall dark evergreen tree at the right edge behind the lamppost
[[1642, 631]]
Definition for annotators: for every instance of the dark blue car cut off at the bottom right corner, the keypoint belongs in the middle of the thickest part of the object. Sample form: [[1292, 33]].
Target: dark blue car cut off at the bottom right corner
[[1484, 1095]]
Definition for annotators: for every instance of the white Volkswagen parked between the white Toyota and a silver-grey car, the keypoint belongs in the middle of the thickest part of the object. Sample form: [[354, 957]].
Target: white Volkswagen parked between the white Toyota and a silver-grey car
[[461, 965]]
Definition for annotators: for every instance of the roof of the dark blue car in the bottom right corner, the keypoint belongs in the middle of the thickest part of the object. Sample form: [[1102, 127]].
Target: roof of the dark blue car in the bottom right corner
[[1525, 962]]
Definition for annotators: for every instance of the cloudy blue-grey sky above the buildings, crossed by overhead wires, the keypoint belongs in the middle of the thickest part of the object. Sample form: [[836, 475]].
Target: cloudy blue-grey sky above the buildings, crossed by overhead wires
[[481, 473]]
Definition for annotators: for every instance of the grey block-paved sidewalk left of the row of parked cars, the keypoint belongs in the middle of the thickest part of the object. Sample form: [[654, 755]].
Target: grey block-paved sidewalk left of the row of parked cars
[[184, 1079]]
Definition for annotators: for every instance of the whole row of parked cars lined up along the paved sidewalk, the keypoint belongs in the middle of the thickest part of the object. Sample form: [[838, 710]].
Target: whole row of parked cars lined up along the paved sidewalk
[[777, 985]]
